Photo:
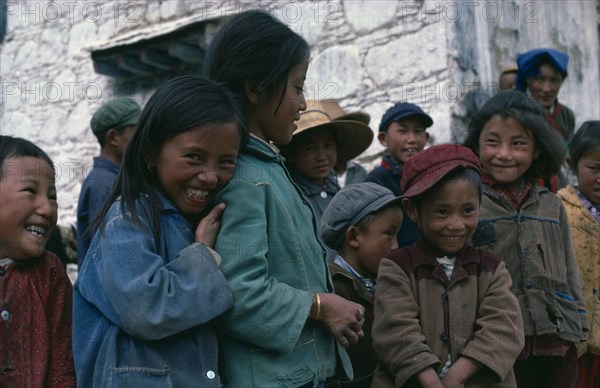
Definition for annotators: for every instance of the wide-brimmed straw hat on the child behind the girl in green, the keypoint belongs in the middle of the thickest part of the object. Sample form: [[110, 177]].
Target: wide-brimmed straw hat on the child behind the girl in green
[[353, 135]]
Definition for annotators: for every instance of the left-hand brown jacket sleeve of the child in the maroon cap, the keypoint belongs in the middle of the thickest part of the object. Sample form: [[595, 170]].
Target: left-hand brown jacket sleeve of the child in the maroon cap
[[397, 334]]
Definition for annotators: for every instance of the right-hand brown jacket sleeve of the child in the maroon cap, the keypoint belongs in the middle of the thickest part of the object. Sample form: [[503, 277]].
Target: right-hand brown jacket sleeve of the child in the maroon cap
[[499, 325]]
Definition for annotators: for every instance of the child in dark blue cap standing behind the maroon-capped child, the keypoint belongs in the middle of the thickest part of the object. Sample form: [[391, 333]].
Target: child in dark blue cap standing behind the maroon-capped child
[[403, 131]]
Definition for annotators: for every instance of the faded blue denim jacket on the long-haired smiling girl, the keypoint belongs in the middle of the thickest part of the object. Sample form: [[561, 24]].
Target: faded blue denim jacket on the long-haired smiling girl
[[140, 314]]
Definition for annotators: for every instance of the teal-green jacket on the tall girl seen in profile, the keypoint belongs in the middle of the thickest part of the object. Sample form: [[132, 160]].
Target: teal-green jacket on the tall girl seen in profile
[[274, 262]]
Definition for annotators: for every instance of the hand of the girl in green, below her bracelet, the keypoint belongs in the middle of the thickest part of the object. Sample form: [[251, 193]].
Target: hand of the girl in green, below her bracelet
[[344, 319]]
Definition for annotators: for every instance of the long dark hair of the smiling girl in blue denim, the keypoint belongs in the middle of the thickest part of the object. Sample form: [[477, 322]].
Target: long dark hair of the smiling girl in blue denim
[[180, 104]]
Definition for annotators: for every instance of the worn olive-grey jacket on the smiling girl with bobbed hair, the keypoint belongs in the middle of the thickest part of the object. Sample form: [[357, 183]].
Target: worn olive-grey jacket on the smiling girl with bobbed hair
[[535, 243]]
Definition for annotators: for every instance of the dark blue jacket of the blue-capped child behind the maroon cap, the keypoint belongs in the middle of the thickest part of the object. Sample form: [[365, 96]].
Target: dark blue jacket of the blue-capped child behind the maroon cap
[[388, 174]]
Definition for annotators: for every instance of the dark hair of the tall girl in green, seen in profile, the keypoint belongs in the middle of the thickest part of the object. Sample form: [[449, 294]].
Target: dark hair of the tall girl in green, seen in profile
[[253, 48]]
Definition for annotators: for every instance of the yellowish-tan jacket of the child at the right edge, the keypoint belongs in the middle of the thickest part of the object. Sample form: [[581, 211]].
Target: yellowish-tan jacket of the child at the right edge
[[585, 233]]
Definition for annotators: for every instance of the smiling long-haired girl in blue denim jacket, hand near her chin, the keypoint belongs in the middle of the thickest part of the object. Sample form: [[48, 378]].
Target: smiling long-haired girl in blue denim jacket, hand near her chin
[[151, 282]]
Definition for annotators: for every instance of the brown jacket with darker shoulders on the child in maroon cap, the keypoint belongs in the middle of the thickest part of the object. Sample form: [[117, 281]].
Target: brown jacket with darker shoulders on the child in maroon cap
[[421, 317]]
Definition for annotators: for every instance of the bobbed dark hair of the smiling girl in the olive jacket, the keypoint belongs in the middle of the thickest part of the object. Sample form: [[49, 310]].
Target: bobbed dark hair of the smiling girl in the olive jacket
[[527, 111]]
